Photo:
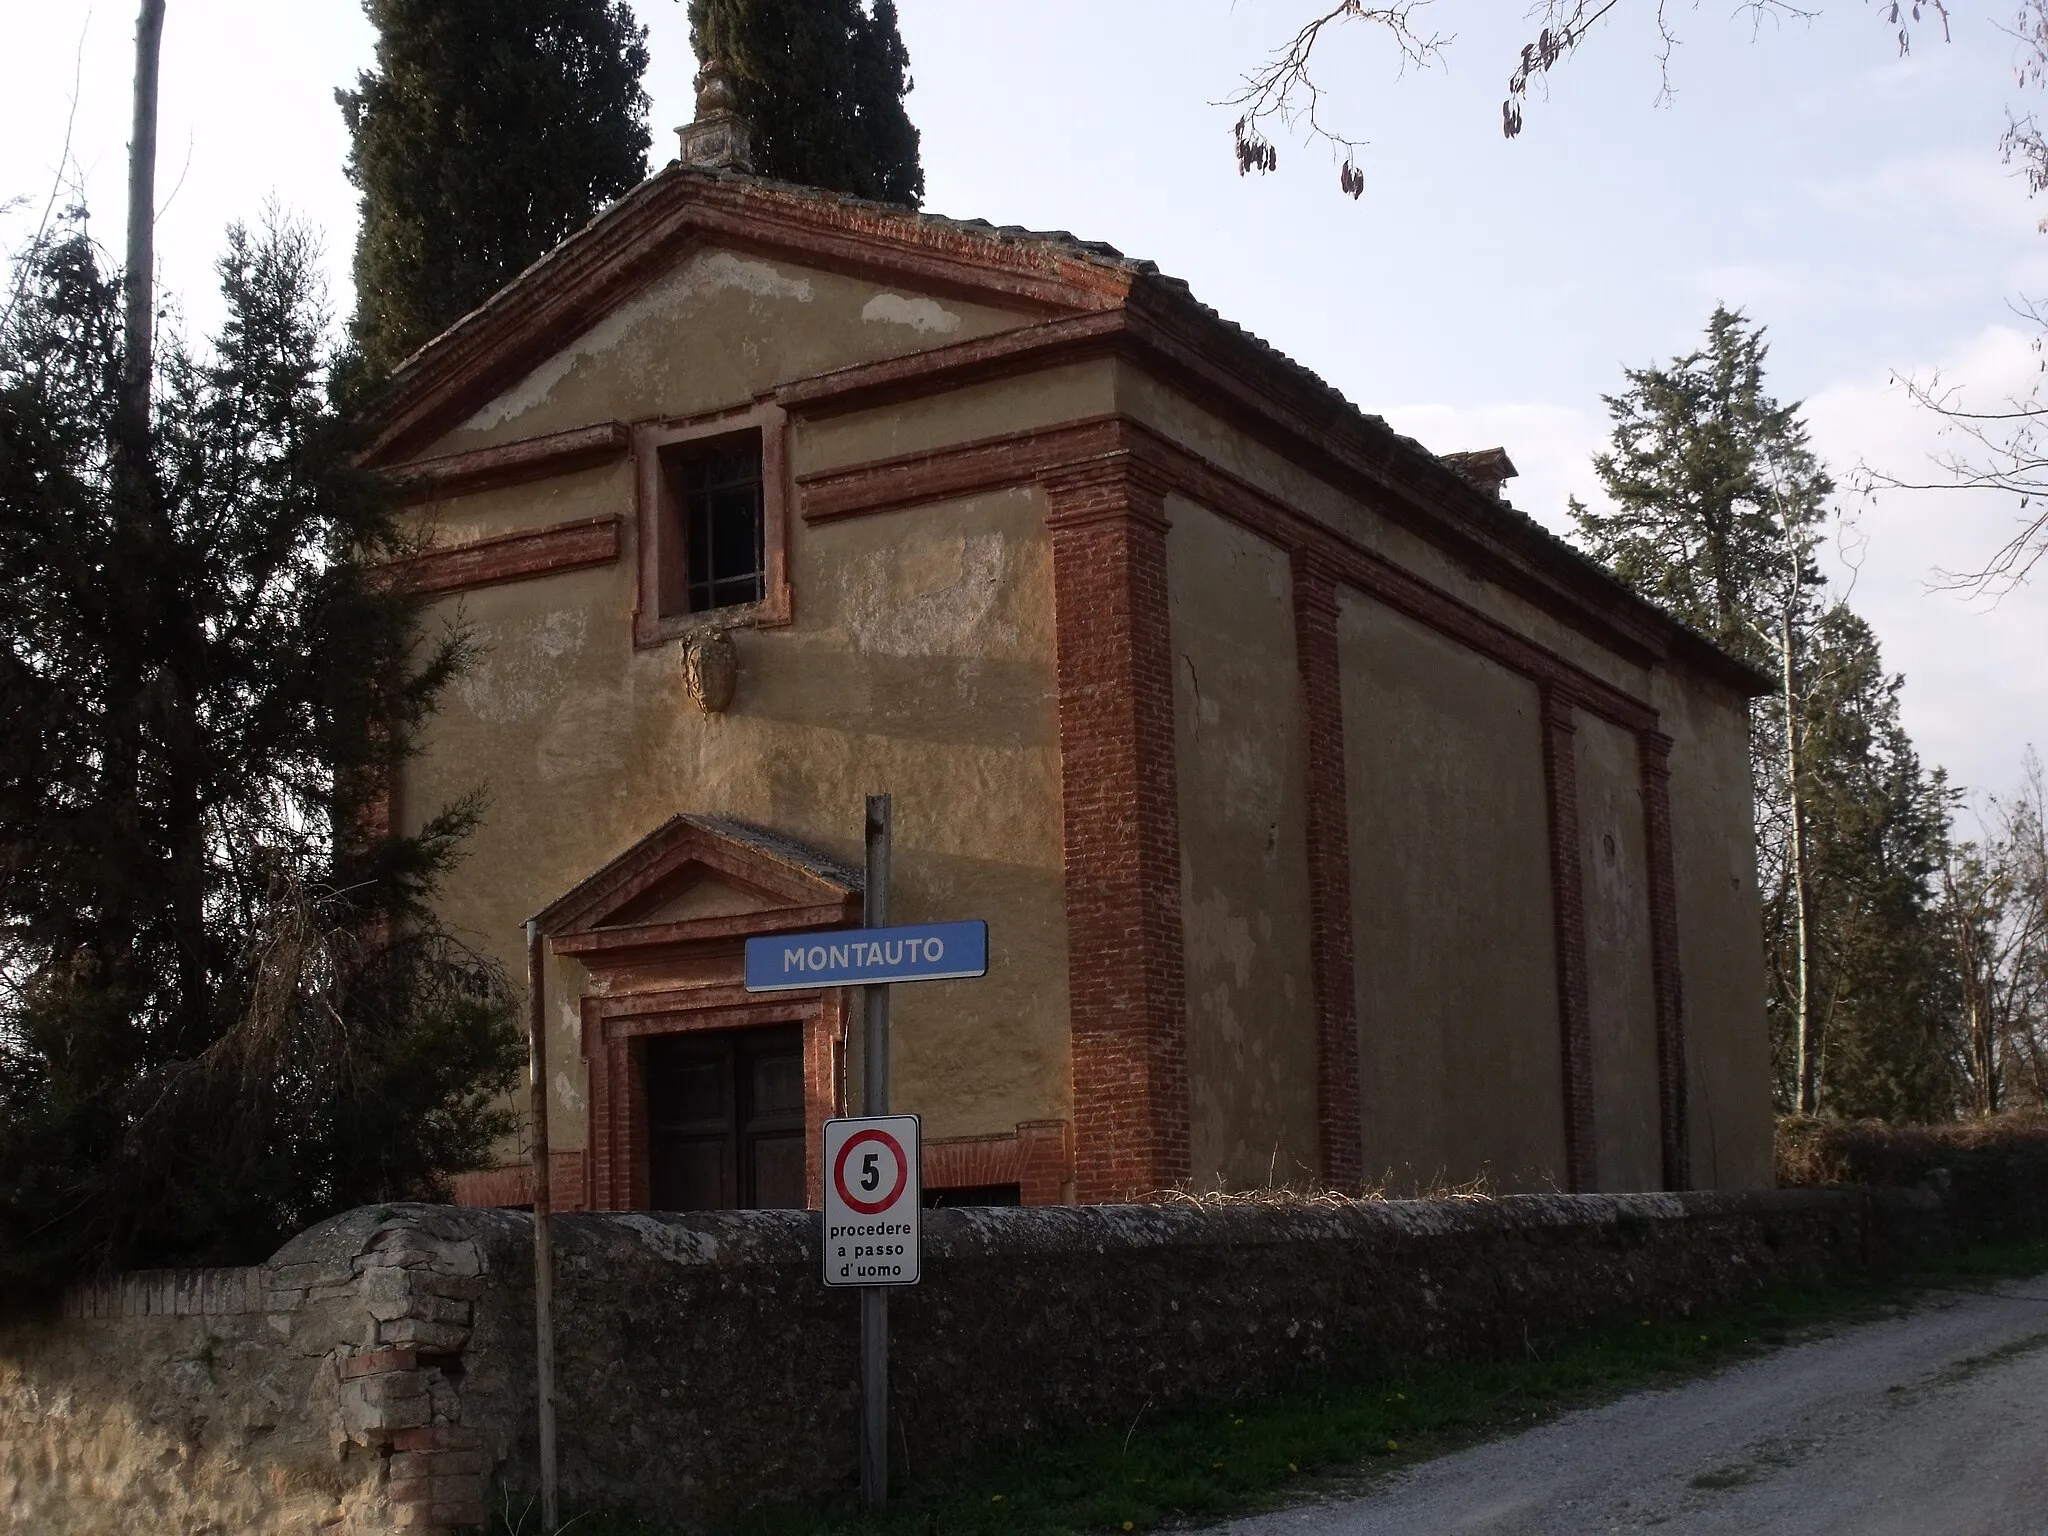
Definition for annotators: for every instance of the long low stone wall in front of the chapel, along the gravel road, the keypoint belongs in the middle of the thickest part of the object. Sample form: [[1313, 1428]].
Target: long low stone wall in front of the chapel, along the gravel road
[[378, 1375]]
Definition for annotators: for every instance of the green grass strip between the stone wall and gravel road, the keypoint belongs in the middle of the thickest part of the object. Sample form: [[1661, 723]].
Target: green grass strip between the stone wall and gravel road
[[1330, 1437]]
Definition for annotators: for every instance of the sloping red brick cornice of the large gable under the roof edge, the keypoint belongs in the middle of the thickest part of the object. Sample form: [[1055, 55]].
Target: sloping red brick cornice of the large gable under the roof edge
[[679, 216]]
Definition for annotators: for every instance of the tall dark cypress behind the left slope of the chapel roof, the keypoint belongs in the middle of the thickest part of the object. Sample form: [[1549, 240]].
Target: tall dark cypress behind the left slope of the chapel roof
[[488, 132]]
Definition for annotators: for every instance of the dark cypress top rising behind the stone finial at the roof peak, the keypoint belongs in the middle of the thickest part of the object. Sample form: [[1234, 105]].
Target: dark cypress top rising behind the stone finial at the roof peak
[[822, 85]]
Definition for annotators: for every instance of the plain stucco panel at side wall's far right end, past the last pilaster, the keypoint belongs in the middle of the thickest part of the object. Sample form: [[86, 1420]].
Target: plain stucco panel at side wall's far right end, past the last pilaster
[[1719, 937]]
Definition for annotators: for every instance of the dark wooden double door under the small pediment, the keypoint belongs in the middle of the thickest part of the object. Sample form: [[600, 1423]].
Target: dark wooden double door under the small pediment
[[726, 1119]]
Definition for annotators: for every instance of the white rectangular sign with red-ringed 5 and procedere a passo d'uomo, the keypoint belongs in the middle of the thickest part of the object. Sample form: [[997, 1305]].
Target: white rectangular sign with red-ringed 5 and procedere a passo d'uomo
[[873, 1193]]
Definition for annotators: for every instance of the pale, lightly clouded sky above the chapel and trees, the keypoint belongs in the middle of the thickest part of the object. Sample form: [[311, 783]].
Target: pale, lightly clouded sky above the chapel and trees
[[1480, 292]]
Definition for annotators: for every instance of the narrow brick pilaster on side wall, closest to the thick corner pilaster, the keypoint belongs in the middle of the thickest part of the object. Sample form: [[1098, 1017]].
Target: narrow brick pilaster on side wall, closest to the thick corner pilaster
[[1330, 876]]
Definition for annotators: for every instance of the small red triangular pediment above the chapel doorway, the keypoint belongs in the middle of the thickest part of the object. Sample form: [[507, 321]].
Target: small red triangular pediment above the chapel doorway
[[701, 876]]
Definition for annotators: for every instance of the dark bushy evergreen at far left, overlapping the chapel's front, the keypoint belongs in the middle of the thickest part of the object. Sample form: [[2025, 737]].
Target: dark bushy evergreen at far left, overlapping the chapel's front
[[224, 1005]]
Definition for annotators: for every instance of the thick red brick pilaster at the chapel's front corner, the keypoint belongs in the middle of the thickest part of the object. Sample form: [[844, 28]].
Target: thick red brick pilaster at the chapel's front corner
[[1121, 822]]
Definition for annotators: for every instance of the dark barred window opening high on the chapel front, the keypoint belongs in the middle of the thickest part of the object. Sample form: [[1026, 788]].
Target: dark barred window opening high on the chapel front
[[716, 495]]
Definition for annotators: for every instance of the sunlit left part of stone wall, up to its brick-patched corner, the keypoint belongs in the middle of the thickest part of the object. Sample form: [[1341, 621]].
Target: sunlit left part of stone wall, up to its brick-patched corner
[[316, 1394]]
